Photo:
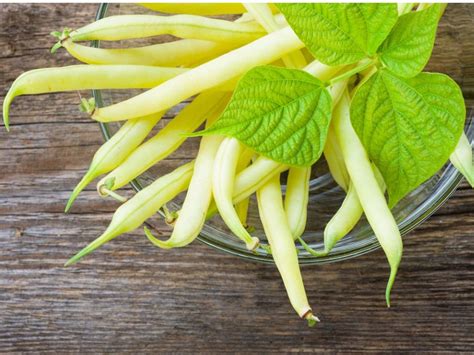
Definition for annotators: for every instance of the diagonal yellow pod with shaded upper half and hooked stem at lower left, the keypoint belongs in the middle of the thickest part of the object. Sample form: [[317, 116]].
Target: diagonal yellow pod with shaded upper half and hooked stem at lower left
[[166, 140]]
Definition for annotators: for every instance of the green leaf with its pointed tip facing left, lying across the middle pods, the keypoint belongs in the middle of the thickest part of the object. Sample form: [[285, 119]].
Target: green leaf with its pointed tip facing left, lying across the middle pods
[[280, 113]]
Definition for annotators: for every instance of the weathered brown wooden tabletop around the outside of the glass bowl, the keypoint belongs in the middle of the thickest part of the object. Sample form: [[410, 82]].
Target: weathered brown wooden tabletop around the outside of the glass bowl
[[131, 297]]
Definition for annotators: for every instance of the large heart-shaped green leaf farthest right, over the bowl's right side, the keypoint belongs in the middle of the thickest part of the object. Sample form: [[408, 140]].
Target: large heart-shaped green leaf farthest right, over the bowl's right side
[[409, 127]]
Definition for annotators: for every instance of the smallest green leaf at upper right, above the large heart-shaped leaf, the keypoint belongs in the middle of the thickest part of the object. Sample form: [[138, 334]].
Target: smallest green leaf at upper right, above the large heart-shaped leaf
[[408, 48]]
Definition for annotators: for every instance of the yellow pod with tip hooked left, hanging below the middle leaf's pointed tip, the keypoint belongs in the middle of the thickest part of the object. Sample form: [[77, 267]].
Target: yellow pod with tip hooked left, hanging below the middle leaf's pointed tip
[[192, 215]]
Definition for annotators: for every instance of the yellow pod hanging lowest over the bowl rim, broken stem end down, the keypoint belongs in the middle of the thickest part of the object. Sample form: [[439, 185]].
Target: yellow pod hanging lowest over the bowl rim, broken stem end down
[[272, 215]]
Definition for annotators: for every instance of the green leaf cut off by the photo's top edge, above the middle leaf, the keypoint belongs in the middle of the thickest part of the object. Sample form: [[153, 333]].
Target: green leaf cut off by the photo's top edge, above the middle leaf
[[339, 34]]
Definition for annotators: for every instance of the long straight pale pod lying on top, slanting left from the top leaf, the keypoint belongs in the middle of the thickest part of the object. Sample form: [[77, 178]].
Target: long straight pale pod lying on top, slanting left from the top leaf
[[206, 76]]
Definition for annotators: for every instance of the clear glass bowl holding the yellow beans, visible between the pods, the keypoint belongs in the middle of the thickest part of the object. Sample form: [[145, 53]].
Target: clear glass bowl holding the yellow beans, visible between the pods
[[453, 54]]
